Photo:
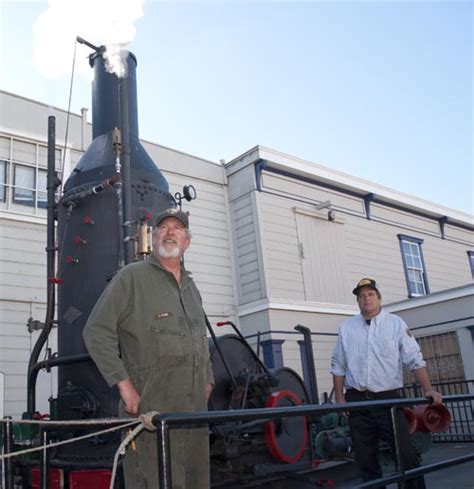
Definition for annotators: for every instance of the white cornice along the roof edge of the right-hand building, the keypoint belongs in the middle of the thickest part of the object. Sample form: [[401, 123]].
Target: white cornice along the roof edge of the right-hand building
[[351, 184]]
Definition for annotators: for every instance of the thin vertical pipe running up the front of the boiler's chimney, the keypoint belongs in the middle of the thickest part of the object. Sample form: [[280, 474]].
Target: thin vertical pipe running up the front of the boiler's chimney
[[126, 169]]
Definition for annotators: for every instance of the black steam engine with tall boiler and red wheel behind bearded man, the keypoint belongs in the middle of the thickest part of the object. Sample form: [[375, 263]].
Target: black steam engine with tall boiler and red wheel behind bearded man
[[104, 220]]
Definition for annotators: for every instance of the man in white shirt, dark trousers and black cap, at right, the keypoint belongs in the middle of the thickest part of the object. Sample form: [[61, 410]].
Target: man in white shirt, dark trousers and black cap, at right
[[368, 361]]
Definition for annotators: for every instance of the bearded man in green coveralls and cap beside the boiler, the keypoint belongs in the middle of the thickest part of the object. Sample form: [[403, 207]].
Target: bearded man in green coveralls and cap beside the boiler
[[147, 335]]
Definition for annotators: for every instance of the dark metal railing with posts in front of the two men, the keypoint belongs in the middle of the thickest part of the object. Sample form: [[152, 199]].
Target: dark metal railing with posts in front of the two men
[[167, 422]]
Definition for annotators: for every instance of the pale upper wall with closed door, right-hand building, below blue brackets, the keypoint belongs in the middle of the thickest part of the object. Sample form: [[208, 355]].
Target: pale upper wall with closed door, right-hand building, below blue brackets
[[350, 247]]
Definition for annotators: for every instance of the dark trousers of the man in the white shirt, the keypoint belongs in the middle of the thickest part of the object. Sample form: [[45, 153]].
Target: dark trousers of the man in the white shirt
[[370, 426]]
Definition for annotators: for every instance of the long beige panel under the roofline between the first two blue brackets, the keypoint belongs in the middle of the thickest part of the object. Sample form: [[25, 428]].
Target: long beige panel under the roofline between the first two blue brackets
[[300, 189]]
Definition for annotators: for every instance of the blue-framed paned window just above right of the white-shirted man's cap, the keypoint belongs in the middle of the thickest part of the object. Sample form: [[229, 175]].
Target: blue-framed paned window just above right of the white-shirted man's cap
[[413, 263]]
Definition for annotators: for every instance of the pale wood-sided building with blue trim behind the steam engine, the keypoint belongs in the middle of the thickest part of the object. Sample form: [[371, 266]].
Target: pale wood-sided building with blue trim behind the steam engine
[[277, 242]]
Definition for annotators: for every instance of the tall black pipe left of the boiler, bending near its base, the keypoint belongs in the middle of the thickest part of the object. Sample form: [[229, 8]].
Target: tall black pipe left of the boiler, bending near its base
[[51, 185]]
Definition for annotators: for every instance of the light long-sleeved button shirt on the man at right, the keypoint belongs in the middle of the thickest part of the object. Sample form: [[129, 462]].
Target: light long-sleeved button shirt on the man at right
[[372, 357]]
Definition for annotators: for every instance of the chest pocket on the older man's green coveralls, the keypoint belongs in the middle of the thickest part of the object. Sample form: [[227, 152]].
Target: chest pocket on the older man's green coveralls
[[169, 336]]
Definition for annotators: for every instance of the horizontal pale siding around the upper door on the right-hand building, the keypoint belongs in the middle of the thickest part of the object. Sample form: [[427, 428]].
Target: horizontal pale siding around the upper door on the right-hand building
[[371, 246]]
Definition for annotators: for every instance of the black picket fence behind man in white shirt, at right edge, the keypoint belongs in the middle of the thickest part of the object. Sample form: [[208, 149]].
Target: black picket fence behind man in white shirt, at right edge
[[461, 428]]
